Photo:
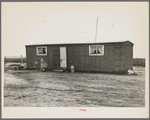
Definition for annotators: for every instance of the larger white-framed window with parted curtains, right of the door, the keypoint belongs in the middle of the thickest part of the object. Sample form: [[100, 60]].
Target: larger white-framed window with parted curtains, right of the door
[[96, 50]]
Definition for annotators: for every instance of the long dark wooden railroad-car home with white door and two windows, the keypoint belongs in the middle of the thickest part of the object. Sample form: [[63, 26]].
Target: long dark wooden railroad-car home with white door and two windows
[[88, 57]]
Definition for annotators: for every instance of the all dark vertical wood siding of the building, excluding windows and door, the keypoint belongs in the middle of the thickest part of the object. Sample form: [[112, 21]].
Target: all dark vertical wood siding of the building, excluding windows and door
[[116, 58]]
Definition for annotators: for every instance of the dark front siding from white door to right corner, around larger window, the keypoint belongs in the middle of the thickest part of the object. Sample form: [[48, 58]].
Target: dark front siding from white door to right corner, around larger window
[[80, 58]]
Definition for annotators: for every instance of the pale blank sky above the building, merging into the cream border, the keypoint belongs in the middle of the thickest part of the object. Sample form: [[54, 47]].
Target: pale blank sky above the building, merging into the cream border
[[25, 23]]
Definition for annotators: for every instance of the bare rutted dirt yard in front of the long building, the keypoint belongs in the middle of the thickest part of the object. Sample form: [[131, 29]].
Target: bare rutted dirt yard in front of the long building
[[32, 88]]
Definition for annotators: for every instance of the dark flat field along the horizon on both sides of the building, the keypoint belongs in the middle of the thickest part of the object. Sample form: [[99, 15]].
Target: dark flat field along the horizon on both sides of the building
[[136, 61]]
